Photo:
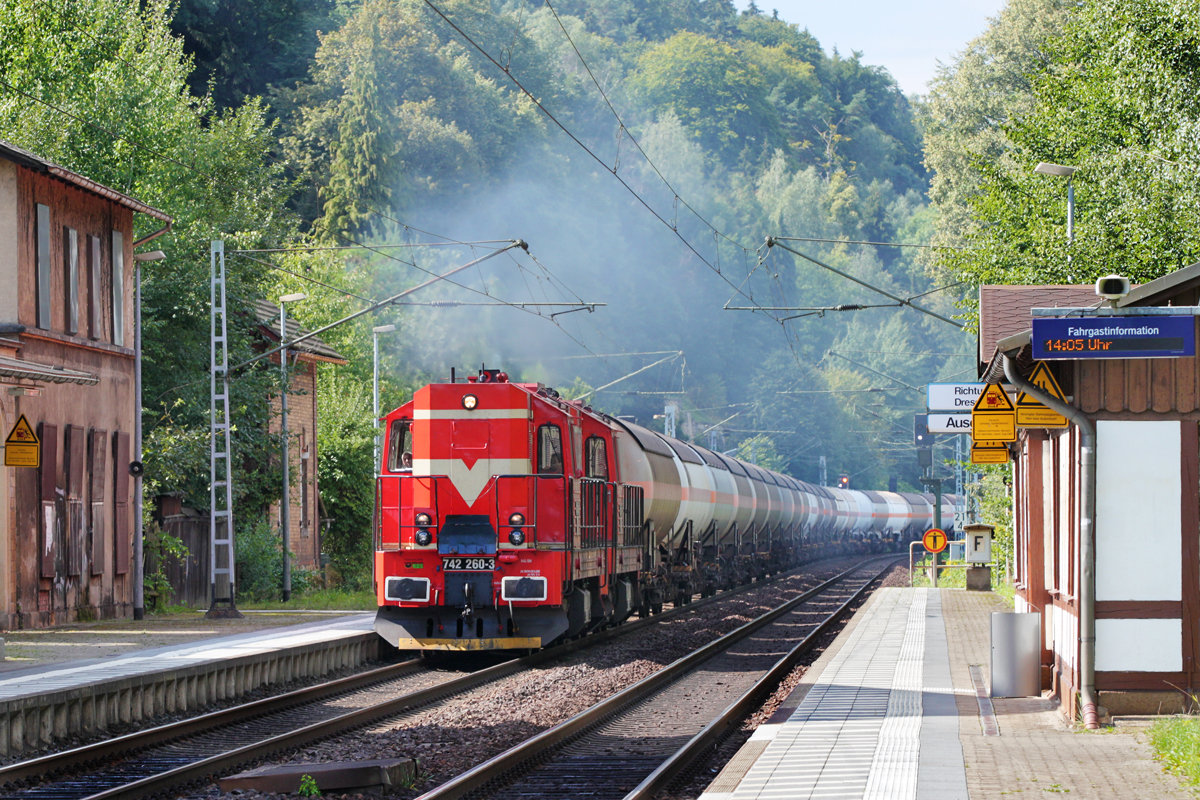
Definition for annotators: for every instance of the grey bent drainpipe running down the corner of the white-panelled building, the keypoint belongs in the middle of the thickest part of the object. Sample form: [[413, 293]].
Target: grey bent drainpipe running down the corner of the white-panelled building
[[1087, 531]]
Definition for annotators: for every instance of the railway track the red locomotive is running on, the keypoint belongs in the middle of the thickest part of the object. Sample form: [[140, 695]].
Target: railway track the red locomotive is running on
[[159, 760]]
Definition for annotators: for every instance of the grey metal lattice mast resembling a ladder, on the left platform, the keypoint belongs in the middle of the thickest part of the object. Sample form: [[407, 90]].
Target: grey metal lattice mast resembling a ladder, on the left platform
[[221, 554]]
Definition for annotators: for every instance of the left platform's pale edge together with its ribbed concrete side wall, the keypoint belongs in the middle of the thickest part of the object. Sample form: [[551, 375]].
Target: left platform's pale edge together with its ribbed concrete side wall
[[49, 702]]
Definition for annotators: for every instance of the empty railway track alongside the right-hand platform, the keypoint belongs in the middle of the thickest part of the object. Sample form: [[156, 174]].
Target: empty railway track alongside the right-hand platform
[[635, 743]]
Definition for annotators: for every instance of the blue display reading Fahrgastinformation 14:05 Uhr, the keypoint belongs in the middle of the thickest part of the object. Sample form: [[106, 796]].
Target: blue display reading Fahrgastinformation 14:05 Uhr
[[1114, 338]]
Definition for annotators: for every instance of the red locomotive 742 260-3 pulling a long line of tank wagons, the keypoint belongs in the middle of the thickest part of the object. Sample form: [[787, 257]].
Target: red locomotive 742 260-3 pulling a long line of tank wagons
[[508, 518]]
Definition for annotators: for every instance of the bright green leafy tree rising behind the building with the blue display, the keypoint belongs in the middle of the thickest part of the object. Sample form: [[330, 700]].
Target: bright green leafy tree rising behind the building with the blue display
[[1117, 97]]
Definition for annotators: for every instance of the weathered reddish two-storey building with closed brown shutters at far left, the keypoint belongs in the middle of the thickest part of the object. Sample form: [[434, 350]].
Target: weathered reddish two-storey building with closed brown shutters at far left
[[67, 365]]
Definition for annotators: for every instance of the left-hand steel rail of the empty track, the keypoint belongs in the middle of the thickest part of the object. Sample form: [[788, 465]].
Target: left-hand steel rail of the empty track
[[533, 748]]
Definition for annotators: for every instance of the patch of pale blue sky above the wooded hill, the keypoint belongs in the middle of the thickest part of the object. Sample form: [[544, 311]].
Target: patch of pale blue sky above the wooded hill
[[909, 38]]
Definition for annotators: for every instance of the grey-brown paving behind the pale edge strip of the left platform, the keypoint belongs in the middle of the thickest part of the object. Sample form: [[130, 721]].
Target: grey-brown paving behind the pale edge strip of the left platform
[[116, 639]]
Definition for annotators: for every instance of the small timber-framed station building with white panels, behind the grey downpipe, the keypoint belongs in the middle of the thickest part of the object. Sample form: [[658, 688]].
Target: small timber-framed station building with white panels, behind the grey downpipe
[[1148, 504]]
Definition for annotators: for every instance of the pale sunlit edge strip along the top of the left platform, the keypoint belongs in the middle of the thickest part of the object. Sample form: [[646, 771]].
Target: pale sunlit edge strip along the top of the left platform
[[69, 675]]
